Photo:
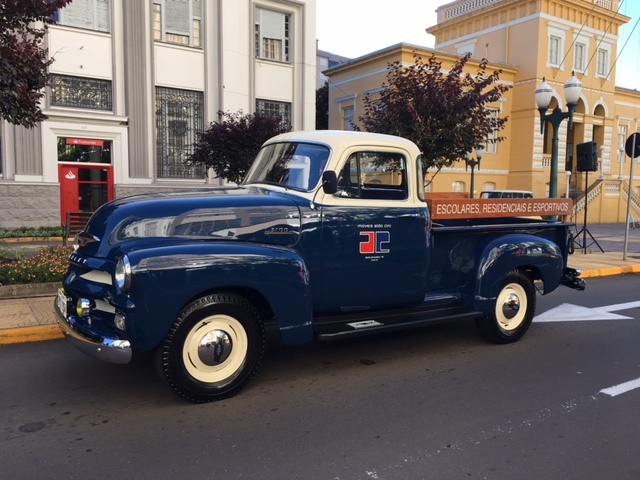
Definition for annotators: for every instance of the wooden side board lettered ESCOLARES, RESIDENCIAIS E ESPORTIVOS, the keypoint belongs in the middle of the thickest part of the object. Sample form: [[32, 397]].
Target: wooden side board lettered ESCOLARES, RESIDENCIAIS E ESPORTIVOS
[[457, 208]]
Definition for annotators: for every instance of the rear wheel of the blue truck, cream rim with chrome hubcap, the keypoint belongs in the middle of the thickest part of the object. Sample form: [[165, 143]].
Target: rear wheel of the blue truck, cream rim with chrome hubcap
[[513, 311]]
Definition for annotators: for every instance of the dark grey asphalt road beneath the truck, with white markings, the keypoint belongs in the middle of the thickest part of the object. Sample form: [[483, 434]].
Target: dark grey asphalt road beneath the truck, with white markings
[[436, 403]]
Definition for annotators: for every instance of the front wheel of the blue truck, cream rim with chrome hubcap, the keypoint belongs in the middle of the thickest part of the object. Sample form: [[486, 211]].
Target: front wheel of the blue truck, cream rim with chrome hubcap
[[213, 349]]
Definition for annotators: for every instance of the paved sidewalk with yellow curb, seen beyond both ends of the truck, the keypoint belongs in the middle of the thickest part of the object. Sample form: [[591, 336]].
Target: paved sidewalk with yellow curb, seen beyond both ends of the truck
[[31, 318]]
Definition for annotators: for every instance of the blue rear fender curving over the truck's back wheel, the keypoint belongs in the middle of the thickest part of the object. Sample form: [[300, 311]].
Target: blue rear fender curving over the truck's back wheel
[[515, 252]]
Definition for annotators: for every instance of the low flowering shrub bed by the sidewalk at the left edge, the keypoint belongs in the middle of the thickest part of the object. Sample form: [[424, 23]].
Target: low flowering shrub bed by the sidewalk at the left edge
[[49, 264]]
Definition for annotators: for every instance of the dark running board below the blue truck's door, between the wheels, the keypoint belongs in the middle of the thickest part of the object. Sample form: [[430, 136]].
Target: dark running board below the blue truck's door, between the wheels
[[356, 325]]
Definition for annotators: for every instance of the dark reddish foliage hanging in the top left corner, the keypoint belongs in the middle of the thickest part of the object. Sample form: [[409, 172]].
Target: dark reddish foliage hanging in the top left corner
[[24, 60]]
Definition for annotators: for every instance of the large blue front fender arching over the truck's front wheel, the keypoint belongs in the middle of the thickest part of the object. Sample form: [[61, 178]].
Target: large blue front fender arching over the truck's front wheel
[[166, 279]]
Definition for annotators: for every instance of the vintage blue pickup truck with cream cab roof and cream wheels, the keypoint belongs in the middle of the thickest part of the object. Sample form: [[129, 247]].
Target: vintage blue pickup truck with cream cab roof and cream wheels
[[329, 236]]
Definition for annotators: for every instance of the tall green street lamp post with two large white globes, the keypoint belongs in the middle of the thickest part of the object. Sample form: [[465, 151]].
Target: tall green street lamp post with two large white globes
[[572, 91]]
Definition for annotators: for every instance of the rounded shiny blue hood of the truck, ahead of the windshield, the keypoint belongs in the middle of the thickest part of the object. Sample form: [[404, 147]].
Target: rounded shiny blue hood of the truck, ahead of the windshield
[[248, 214]]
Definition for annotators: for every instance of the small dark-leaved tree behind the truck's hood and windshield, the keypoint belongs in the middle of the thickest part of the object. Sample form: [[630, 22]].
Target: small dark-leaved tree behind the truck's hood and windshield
[[231, 143]]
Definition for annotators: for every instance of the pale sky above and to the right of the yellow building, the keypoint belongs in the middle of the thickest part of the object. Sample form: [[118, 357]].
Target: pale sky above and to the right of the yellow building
[[353, 28]]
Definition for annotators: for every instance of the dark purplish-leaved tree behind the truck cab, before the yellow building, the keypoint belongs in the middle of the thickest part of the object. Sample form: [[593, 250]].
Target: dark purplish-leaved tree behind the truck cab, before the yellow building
[[445, 114]]
